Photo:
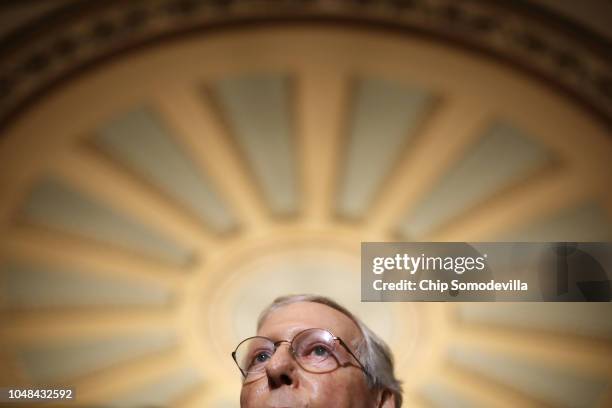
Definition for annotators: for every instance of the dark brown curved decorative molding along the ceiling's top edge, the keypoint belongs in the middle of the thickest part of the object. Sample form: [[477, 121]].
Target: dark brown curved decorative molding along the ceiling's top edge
[[55, 49]]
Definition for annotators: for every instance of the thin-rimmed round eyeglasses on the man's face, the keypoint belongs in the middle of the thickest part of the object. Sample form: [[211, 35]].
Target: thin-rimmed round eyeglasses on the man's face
[[315, 350]]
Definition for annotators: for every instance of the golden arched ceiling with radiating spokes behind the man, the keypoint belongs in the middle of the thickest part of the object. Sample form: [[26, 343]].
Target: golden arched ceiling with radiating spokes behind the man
[[155, 202]]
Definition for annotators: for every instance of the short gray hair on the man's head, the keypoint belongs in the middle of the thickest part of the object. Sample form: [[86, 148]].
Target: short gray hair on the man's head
[[374, 354]]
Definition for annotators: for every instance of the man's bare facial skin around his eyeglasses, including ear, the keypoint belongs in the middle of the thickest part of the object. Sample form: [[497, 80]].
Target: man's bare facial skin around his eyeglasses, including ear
[[285, 384]]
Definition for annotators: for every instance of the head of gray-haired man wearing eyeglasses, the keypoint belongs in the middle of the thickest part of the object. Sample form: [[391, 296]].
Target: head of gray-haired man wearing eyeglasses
[[358, 373]]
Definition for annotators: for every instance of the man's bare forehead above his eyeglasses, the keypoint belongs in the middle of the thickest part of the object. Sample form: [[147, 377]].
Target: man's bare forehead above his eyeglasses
[[288, 320]]
